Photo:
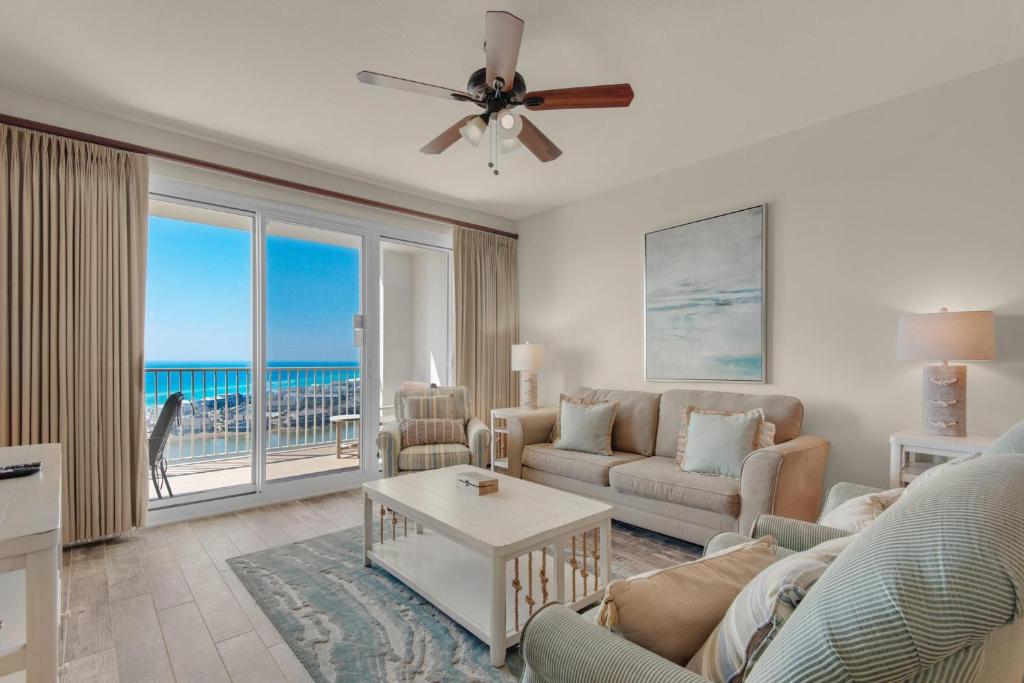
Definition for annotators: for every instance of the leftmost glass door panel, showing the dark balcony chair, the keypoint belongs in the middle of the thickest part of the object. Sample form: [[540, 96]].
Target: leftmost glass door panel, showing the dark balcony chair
[[199, 351]]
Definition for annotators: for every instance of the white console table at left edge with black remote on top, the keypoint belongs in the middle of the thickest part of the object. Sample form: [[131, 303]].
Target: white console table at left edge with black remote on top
[[30, 566]]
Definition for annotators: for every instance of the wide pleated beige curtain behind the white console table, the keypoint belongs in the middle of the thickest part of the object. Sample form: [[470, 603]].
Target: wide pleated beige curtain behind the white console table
[[73, 232]]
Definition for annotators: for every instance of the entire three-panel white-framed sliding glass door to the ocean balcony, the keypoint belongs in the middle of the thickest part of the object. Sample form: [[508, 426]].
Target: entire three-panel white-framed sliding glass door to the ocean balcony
[[262, 332]]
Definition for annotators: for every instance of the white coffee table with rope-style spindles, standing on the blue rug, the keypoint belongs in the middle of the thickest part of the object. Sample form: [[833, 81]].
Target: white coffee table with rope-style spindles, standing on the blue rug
[[488, 562]]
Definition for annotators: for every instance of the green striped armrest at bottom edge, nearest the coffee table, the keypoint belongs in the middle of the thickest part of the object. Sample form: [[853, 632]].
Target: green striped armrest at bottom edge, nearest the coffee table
[[559, 646]]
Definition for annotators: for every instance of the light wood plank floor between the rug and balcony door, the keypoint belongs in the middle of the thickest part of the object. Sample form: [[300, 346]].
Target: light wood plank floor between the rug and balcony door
[[161, 605]]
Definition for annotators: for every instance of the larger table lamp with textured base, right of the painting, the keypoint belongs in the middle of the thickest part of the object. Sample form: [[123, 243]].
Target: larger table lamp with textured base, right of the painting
[[946, 336]]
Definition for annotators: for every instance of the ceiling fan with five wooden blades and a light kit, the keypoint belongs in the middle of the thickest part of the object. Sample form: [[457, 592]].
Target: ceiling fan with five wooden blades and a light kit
[[498, 90]]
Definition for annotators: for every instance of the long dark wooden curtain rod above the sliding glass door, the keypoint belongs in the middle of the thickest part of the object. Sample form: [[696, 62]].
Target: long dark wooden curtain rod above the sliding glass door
[[252, 176]]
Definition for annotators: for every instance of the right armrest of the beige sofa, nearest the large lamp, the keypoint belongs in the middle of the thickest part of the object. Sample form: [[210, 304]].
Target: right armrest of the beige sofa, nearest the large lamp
[[784, 480]]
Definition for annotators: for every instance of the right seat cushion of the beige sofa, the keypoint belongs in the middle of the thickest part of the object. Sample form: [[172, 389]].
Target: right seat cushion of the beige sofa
[[661, 480]]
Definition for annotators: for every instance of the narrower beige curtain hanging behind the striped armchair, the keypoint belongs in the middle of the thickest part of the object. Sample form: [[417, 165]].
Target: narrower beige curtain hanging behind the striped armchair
[[487, 318]]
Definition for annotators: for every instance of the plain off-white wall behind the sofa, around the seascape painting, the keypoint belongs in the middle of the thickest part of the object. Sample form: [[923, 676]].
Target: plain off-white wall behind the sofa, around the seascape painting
[[908, 206]]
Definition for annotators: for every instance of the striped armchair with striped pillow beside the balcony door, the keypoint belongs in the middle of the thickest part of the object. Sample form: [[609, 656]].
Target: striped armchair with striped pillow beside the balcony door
[[397, 460]]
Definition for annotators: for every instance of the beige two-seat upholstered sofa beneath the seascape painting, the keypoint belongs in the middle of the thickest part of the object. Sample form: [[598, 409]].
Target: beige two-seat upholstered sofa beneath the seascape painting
[[649, 490]]
